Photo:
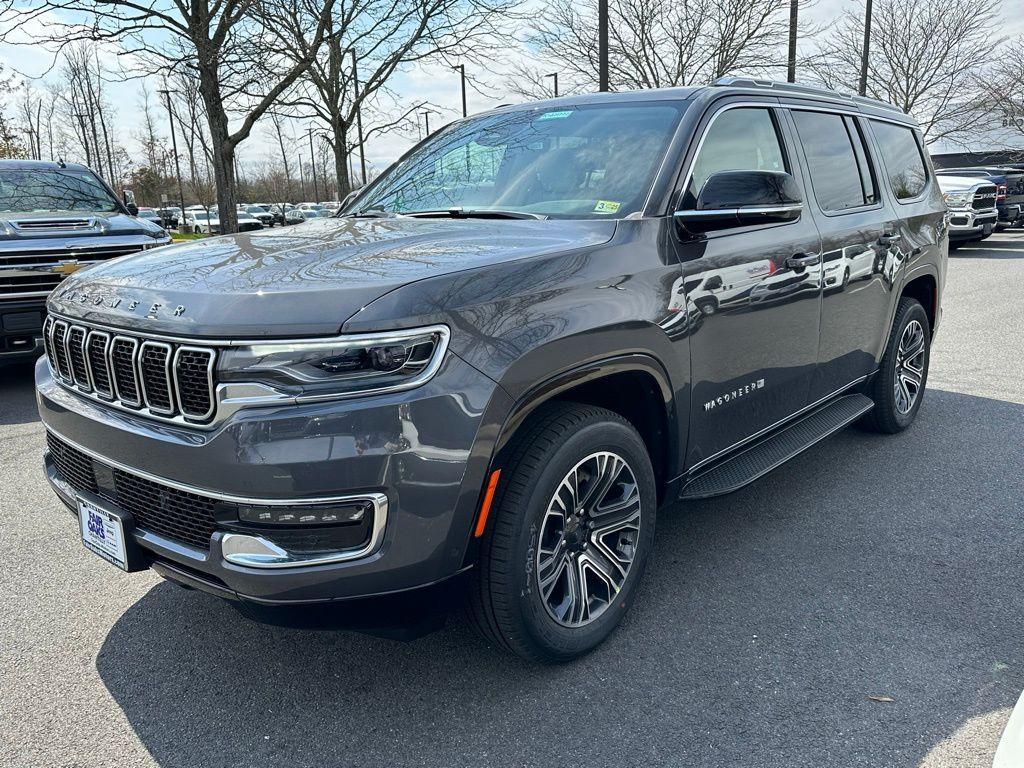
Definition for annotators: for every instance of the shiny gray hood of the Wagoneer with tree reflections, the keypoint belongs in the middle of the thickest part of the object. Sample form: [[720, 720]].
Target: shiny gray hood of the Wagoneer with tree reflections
[[303, 281]]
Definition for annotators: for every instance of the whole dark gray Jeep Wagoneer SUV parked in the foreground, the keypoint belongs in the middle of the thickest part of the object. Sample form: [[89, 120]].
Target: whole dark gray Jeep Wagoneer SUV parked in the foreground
[[504, 357]]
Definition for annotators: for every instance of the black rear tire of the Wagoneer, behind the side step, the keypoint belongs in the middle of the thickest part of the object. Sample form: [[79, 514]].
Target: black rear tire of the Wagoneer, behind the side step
[[890, 414]]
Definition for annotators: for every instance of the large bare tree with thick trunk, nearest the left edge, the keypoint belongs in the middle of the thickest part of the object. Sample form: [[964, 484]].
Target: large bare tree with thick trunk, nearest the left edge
[[232, 48]]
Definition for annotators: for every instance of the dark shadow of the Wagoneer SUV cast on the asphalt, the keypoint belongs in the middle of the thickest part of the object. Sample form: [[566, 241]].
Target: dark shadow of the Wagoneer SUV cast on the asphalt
[[869, 567]]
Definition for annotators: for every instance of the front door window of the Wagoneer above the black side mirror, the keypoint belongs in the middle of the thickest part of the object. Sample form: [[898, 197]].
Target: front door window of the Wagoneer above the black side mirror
[[743, 140]]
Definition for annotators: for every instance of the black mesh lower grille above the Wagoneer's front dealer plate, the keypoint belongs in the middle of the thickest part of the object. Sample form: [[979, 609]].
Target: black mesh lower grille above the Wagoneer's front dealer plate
[[156, 507]]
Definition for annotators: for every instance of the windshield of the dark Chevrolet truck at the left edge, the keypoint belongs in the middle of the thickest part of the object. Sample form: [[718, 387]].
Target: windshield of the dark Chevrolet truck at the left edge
[[54, 190]]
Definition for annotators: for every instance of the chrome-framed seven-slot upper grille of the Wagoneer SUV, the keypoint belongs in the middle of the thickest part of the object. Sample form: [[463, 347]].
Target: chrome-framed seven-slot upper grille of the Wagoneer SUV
[[160, 379]]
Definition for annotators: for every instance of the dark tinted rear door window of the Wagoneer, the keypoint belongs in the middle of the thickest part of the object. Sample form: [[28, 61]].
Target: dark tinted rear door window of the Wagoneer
[[836, 159]]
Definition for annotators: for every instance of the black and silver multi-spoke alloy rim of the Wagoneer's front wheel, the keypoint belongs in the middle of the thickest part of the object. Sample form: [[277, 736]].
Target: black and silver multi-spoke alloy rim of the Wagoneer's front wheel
[[588, 539]]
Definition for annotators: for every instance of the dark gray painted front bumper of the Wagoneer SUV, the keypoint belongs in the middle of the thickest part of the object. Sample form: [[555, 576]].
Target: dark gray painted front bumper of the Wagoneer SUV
[[419, 450]]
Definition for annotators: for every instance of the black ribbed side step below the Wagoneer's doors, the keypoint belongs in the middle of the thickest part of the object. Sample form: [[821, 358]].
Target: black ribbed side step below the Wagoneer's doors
[[764, 456]]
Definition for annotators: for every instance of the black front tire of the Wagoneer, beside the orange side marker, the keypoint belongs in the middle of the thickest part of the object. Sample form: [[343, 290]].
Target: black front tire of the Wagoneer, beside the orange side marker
[[508, 605]]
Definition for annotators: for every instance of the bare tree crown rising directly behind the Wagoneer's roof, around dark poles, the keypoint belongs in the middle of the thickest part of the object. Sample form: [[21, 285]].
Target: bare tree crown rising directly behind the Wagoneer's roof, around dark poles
[[654, 44]]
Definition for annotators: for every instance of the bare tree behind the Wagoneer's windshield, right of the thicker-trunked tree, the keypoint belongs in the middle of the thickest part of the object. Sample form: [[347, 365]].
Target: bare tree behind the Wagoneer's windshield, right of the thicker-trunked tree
[[382, 37]]
